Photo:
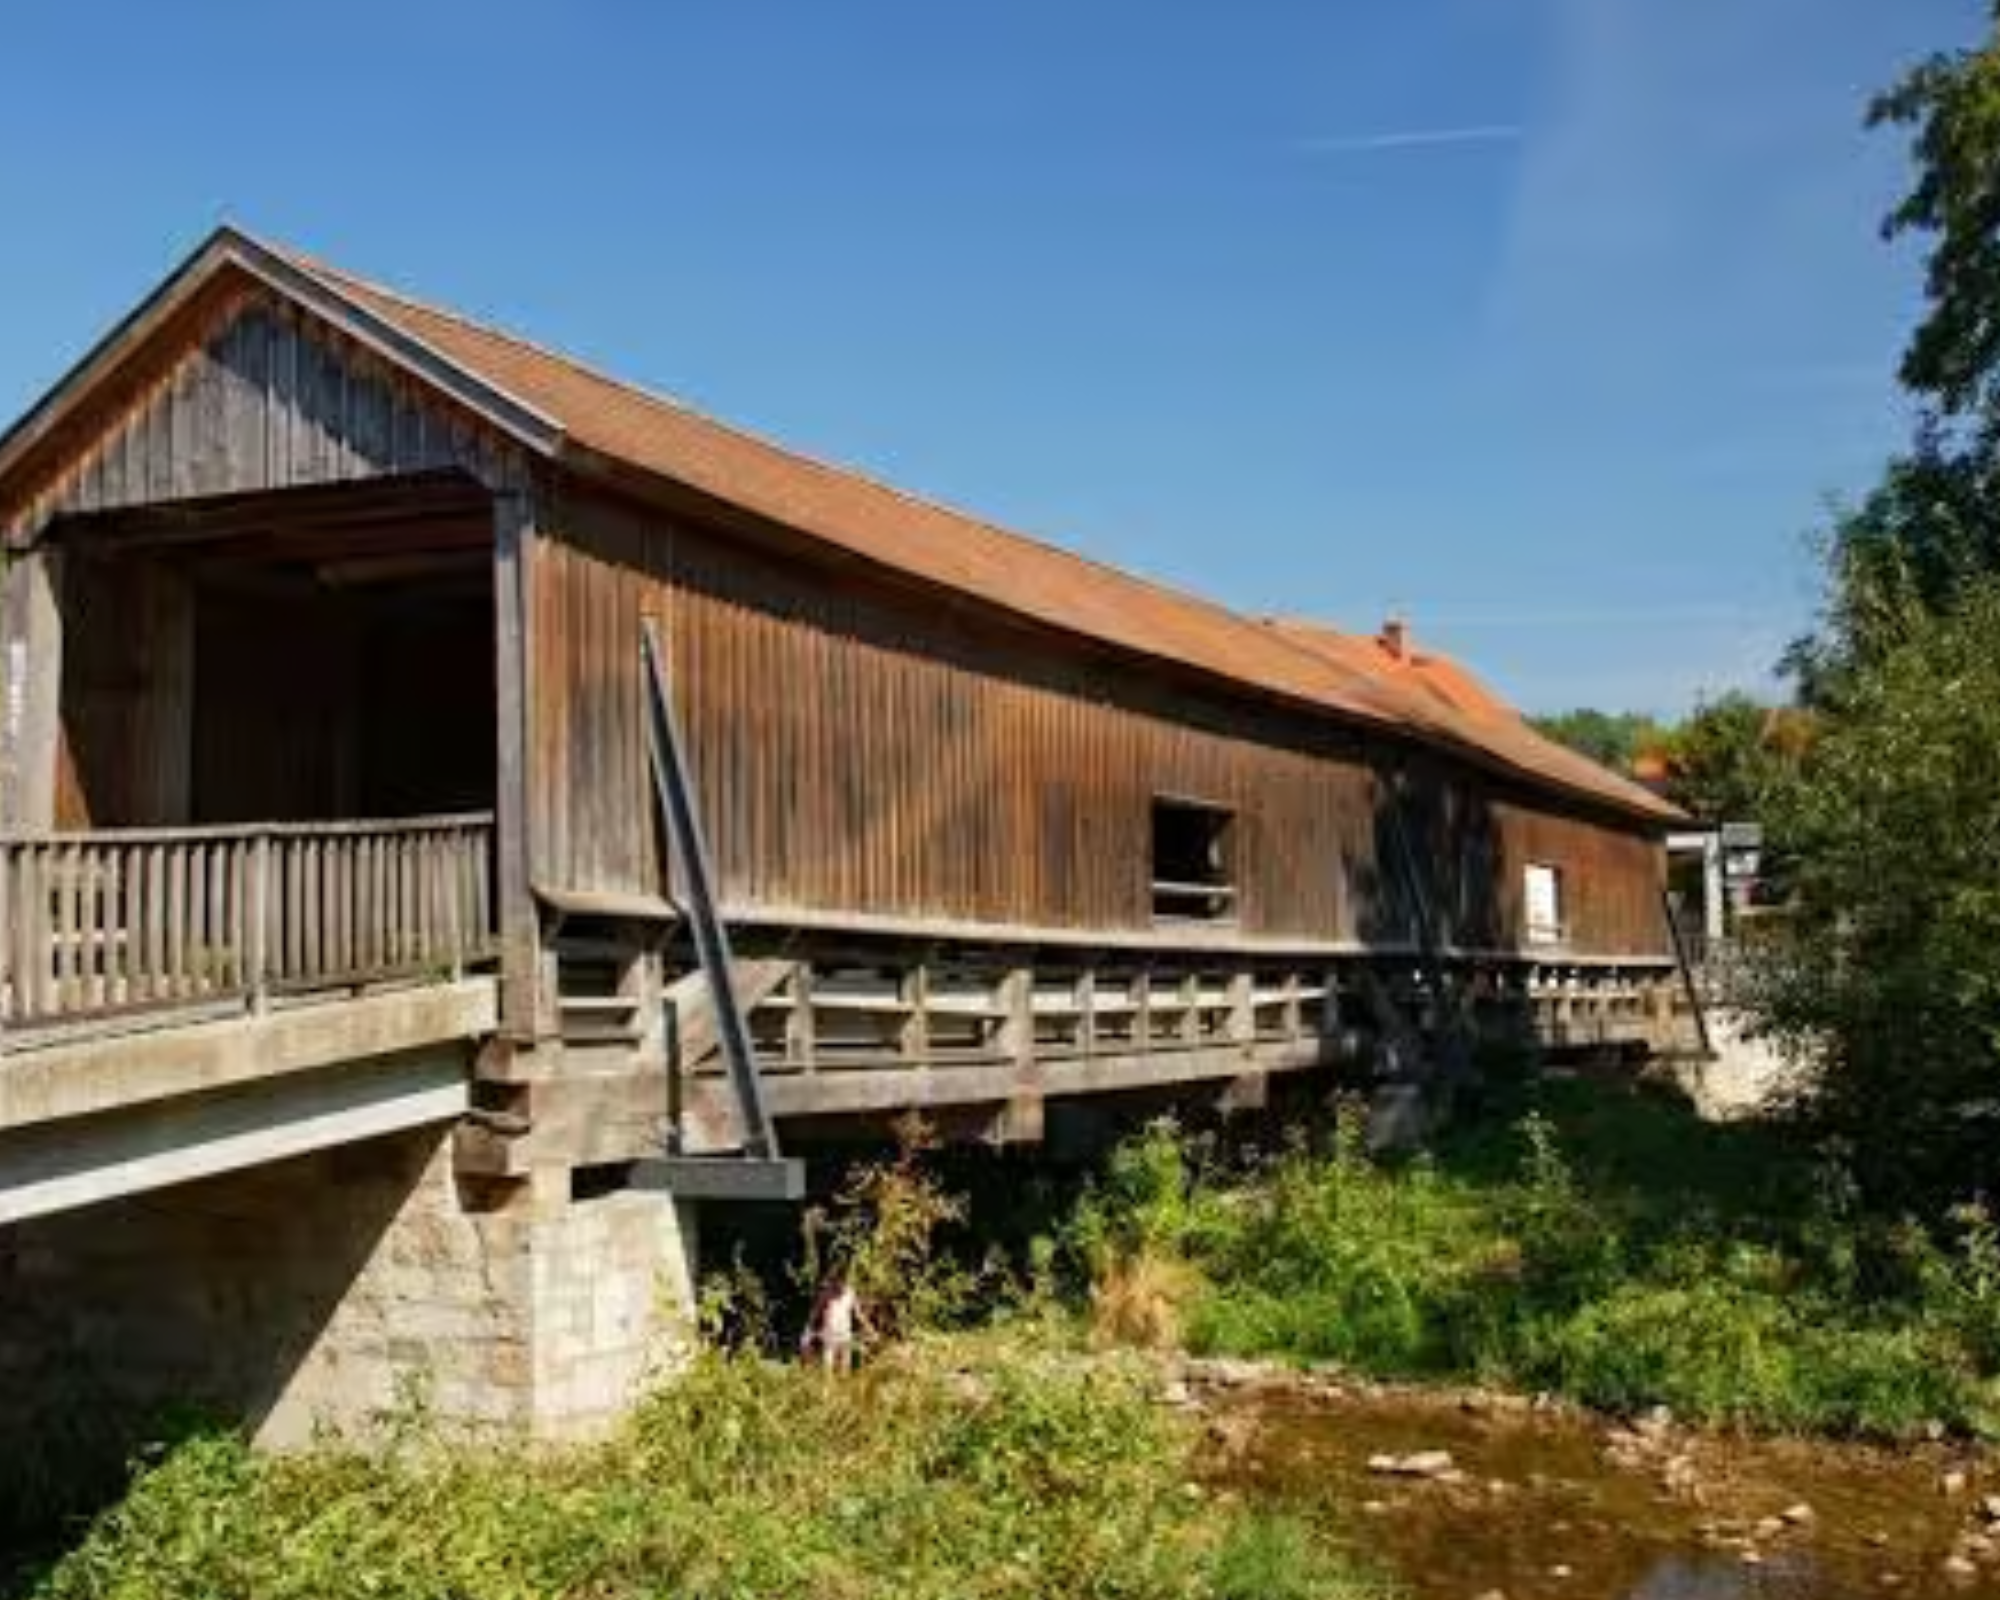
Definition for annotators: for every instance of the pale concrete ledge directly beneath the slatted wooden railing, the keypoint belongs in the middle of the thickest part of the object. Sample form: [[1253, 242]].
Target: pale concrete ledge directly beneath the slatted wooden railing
[[107, 1075]]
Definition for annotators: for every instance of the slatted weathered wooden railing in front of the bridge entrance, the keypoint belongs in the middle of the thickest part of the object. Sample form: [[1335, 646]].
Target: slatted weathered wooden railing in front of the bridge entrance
[[105, 923]]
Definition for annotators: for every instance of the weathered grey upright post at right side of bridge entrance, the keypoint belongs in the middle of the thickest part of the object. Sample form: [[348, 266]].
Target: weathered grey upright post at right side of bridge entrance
[[523, 1009]]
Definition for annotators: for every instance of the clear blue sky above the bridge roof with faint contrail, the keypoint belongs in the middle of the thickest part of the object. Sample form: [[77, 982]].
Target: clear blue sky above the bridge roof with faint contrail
[[1551, 323]]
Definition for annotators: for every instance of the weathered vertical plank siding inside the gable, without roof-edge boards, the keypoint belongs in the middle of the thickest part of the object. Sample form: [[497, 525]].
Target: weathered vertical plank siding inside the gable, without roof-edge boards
[[251, 393]]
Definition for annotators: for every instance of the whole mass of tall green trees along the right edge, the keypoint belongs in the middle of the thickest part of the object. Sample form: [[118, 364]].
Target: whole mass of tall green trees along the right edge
[[1891, 825]]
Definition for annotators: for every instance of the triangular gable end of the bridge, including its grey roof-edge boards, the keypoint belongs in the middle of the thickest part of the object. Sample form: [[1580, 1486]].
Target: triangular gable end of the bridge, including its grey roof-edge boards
[[245, 373]]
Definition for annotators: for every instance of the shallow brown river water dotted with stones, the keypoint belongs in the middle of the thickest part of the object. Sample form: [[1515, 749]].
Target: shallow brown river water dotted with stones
[[1549, 1503]]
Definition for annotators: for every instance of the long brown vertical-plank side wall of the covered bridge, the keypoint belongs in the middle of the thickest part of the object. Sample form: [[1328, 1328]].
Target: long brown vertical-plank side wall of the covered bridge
[[859, 753]]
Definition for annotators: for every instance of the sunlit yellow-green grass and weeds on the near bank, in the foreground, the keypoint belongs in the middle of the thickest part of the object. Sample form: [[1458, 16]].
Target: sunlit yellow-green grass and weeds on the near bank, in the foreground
[[741, 1479]]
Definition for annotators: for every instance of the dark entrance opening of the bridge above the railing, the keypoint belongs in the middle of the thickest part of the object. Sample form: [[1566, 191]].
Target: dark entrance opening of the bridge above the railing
[[297, 657]]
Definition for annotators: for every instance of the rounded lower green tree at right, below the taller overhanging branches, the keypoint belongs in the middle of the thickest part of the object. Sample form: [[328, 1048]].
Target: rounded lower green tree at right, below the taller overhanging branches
[[1893, 985]]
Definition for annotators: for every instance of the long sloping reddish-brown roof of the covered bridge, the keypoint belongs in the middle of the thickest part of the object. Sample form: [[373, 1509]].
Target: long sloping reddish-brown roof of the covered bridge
[[1425, 695]]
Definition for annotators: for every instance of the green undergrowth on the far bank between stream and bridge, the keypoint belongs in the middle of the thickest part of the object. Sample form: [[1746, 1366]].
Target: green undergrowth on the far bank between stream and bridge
[[1607, 1247]]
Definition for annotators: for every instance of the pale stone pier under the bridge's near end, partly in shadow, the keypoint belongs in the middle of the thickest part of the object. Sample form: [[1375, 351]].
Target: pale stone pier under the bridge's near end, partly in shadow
[[339, 1289]]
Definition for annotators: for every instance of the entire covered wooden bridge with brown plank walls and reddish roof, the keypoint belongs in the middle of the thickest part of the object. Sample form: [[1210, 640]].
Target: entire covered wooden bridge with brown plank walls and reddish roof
[[341, 797]]
